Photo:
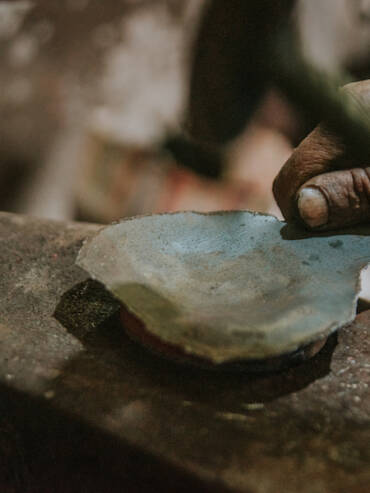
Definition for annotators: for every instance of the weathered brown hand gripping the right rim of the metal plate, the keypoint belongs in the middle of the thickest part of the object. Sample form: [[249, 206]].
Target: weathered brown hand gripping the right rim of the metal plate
[[321, 183]]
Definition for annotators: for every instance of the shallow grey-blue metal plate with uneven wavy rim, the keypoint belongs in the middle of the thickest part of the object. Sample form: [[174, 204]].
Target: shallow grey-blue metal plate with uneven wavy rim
[[230, 286]]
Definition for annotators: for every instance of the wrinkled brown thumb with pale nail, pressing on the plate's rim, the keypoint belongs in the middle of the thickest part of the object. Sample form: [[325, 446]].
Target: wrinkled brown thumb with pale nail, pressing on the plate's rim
[[336, 199]]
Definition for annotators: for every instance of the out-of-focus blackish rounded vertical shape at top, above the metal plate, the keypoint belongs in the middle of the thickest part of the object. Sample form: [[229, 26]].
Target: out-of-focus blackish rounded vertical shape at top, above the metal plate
[[231, 68]]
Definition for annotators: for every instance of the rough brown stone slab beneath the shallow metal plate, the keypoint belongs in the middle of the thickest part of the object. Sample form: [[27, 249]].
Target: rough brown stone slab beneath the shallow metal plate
[[73, 381]]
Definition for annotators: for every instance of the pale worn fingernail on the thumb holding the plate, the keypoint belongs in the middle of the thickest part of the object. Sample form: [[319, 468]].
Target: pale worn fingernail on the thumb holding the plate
[[313, 207]]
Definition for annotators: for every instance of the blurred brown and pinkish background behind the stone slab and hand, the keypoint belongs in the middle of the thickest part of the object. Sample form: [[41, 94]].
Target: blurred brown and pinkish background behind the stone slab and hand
[[124, 107]]
